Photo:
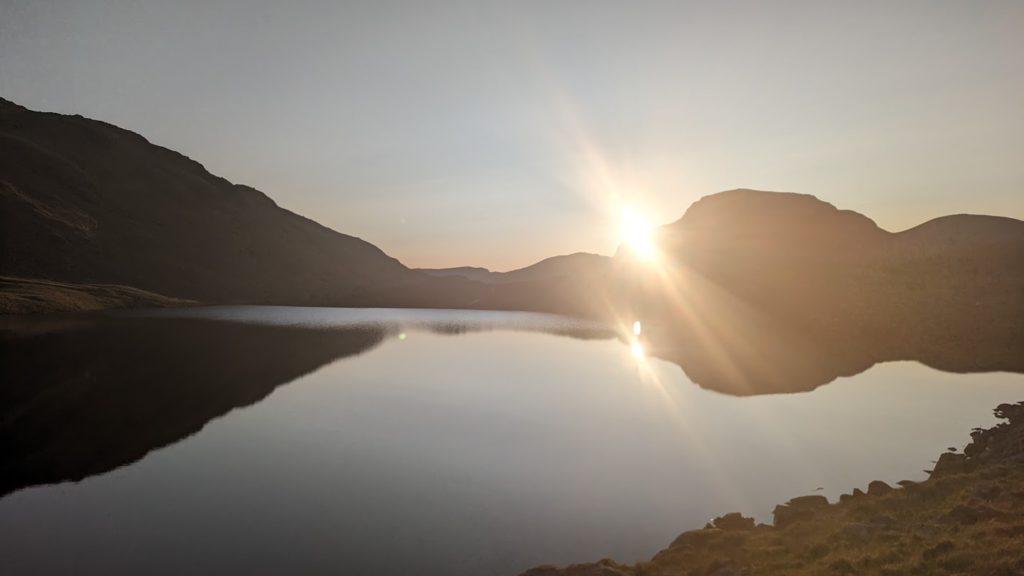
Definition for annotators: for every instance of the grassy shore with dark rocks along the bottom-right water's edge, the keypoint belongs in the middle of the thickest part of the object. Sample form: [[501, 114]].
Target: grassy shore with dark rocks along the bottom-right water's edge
[[968, 518]]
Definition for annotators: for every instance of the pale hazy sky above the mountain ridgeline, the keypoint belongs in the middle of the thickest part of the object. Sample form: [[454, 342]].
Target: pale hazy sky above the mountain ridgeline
[[499, 134]]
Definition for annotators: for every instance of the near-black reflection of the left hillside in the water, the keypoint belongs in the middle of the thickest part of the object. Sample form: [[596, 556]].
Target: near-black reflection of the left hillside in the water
[[84, 399]]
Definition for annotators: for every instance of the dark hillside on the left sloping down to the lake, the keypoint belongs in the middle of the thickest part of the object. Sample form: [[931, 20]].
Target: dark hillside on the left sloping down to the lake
[[82, 201]]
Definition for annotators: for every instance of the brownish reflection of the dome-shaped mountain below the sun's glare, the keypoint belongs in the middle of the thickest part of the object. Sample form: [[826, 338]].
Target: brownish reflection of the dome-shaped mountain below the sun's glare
[[739, 351]]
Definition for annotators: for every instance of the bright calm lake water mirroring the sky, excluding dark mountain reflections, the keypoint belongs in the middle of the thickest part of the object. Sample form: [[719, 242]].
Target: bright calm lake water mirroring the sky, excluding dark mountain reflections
[[468, 443]]
